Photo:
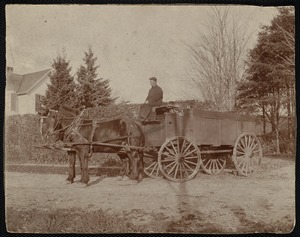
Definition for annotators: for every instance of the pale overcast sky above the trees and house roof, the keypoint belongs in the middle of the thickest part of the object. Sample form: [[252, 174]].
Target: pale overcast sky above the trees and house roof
[[132, 43]]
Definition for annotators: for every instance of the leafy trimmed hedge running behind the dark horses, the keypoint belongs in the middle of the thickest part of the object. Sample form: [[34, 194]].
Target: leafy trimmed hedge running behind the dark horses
[[22, 133]]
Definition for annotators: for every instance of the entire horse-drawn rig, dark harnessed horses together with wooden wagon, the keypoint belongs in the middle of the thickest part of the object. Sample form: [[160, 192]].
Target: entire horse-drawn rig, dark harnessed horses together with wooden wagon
[[173, 144]]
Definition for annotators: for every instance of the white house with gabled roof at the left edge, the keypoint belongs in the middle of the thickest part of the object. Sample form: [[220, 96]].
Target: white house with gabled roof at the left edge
[[23, 92]]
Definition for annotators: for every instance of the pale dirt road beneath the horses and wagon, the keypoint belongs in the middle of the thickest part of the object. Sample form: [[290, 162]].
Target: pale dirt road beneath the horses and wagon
[[222, 203]]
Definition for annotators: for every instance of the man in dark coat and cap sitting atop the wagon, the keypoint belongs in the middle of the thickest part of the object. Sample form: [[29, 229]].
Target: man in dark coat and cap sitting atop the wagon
[[154, 99]]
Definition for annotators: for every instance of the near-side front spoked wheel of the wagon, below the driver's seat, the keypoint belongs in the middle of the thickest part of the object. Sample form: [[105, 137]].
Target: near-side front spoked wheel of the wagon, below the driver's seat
[[179, 159]]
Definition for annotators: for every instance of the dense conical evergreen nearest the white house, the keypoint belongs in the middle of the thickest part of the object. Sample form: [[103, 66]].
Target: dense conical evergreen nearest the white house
[[61, 88]]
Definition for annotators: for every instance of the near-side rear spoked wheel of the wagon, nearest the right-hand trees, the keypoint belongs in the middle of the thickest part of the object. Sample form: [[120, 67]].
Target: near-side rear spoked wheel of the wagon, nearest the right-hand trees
[[247, 154]]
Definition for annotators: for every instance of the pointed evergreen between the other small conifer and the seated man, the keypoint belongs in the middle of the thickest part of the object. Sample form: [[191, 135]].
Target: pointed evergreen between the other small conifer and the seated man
[[92, 92]]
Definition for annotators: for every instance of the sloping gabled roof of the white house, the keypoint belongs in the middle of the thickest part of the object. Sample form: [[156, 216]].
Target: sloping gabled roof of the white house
[[22, 84]]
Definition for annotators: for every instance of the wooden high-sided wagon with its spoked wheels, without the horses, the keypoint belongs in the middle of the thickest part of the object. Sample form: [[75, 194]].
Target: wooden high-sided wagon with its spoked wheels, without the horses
[[195, 138]]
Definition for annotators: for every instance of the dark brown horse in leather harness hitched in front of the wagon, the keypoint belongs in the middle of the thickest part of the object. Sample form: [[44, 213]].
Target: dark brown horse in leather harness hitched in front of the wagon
[[67, 125]]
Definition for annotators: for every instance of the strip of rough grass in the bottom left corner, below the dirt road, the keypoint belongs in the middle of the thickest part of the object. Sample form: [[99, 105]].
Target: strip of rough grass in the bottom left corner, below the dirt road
[[66, 221]]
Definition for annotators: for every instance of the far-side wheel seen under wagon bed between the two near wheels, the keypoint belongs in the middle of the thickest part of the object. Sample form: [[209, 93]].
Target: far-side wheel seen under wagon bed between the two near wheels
[[213, 164]]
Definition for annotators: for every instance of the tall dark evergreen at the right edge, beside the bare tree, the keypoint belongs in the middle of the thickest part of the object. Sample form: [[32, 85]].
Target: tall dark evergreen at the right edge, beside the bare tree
[[270, 82]]
